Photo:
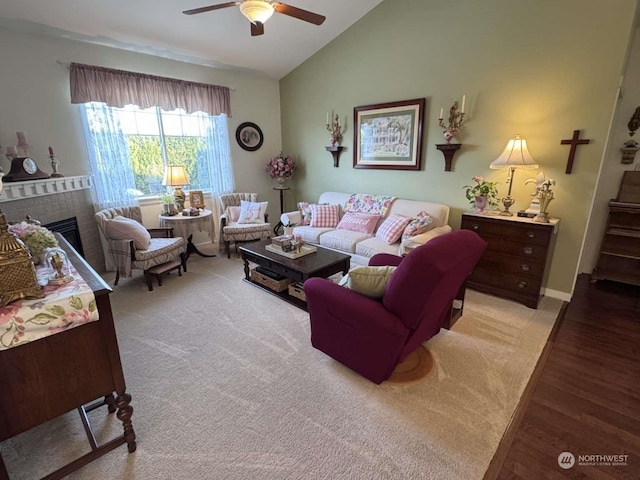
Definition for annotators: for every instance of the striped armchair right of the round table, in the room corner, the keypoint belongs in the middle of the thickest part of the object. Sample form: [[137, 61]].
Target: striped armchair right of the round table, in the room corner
[[231, 230]]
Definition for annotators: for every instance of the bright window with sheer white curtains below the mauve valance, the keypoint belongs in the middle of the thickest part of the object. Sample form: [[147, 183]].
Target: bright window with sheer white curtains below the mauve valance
[[129, 148]]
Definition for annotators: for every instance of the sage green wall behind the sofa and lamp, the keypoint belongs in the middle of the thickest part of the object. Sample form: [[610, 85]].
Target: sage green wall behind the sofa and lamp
[[541, 68]]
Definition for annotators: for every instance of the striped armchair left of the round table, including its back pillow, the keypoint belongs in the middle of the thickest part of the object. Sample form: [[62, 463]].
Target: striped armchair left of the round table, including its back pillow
[[131, 246]]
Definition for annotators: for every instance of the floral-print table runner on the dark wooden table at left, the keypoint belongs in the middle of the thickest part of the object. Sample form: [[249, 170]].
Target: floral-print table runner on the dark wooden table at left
[[63, 307]]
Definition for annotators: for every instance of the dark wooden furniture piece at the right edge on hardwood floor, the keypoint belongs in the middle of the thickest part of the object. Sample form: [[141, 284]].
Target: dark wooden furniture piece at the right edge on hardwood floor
[[619, 257]]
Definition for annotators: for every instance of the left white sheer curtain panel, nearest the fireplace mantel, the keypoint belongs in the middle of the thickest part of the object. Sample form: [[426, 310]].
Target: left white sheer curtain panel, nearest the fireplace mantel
[[109, 157]]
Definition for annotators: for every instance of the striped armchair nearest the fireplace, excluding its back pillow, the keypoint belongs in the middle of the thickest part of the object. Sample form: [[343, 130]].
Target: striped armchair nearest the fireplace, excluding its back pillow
[[124, 254]]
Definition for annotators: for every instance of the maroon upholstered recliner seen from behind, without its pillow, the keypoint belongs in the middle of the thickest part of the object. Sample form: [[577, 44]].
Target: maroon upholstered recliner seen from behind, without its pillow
[[371, 337]]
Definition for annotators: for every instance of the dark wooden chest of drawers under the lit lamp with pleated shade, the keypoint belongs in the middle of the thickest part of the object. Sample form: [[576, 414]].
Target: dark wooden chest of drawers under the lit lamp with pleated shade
[[516, 258]]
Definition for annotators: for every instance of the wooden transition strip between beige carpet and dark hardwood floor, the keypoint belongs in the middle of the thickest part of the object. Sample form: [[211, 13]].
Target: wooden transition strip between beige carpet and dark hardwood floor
[[510, 433]]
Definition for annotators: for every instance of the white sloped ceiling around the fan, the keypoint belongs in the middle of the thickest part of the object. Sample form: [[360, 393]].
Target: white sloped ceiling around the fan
[[219, 38]]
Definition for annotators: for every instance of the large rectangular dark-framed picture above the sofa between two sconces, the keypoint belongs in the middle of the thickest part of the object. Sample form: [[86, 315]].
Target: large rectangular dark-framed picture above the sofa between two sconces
[[388, 135]]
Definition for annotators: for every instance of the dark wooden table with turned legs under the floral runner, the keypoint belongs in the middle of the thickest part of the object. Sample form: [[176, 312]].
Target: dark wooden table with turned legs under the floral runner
[[46, 378]]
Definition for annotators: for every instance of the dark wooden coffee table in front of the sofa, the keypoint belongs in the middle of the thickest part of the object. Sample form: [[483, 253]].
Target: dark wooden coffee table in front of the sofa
[[322, 263]]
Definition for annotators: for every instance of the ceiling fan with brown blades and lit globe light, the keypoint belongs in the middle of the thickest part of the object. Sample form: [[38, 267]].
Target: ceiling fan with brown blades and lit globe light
[[259, 11]]
